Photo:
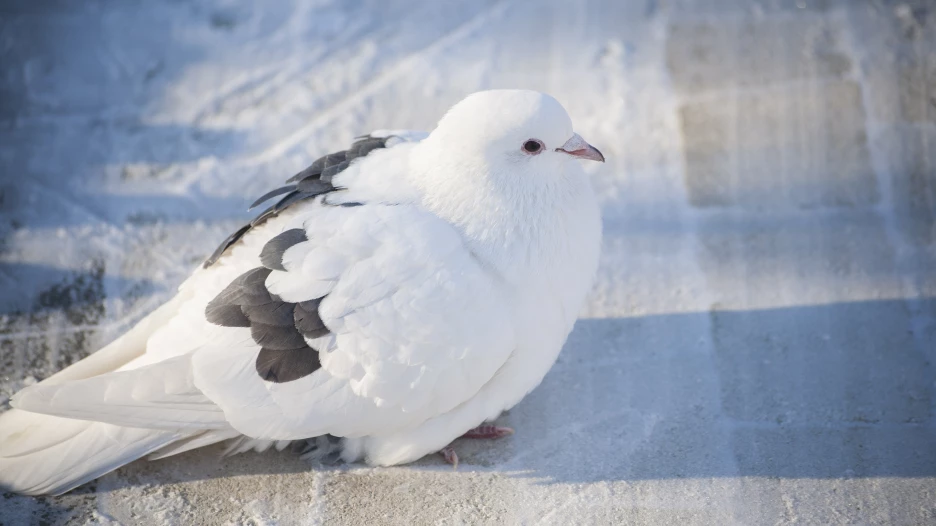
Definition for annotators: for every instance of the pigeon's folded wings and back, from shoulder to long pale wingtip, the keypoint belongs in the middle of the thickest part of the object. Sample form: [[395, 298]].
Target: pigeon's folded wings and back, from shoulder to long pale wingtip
[[348, 312]]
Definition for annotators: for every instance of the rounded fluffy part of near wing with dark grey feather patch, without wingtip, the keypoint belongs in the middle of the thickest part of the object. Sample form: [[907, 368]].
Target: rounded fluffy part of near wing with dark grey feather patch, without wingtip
[[359, 320]]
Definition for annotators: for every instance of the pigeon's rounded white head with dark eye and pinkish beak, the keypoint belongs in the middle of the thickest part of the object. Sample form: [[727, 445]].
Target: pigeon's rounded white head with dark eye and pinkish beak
[[515, 144]]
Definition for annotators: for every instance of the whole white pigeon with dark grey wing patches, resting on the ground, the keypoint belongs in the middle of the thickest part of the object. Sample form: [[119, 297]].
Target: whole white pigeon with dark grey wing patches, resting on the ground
[[396, 296]]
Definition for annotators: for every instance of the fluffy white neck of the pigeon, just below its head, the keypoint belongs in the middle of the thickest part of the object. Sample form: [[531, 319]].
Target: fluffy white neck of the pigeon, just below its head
[[520, 231]]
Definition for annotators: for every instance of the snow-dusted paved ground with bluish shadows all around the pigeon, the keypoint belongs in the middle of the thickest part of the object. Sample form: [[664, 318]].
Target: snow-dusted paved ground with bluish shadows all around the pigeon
[[761, 344]]
